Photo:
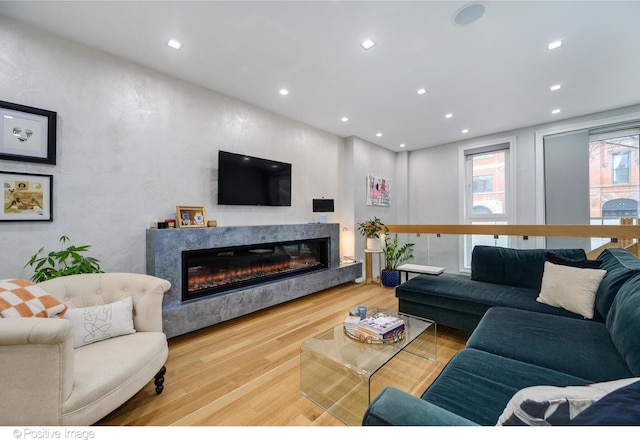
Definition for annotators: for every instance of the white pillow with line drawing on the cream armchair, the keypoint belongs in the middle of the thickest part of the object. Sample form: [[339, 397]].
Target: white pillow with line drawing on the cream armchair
[[92, 324]]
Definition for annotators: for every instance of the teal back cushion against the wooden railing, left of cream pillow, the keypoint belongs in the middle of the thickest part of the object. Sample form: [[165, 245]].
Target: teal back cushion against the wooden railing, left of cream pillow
[[514, 267]]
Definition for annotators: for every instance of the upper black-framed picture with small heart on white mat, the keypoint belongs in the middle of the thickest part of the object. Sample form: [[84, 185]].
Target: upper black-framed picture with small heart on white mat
[[27, 134]]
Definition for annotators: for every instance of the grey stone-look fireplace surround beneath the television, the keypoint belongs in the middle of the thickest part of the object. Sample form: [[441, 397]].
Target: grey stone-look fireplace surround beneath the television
[[164, 260]]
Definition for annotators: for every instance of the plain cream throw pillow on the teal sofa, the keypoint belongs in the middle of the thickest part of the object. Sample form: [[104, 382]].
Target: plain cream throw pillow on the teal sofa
[[572, 288]]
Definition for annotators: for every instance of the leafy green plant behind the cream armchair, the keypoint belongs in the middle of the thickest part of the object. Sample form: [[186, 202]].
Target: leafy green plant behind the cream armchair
[[66, 261]]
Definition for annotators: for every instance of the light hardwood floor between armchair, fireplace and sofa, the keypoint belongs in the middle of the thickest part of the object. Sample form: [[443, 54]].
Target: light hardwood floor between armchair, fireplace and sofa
[[246, 372]]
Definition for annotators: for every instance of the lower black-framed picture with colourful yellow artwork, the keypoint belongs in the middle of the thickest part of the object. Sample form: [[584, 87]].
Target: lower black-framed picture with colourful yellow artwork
[[27, 197]]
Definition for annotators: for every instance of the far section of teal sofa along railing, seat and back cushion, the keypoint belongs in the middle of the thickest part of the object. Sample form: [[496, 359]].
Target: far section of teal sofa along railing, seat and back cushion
[[500, 277]]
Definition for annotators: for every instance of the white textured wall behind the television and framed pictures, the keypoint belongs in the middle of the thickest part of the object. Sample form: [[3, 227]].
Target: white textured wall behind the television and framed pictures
[[133, 144]]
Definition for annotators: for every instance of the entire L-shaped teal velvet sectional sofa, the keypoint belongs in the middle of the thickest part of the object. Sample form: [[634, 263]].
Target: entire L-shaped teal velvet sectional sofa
[[518, 344]]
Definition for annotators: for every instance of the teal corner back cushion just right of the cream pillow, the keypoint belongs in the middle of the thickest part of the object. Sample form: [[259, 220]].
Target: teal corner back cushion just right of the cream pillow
[[620, 265]]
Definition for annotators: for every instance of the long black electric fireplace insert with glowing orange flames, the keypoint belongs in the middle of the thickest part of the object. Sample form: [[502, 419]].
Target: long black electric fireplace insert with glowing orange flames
[[215, 271]]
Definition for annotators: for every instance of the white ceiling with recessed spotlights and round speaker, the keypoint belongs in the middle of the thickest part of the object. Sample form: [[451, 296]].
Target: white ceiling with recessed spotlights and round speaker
[[492, 75]]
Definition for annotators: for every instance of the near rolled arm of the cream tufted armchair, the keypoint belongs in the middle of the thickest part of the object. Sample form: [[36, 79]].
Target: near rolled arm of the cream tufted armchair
[[37, 365]]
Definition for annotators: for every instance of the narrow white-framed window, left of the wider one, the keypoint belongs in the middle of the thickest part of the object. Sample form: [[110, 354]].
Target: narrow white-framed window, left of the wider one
[[487, 191]]
